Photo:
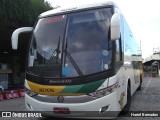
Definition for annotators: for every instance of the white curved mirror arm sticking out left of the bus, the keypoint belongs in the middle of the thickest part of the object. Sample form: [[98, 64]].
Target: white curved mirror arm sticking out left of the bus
[[15, 34]]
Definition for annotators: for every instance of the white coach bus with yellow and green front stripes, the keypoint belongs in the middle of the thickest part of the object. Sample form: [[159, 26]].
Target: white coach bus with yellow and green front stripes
[[83, 61]]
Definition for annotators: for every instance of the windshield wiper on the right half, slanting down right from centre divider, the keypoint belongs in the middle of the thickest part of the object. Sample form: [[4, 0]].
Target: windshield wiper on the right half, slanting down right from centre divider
[[72, 61]]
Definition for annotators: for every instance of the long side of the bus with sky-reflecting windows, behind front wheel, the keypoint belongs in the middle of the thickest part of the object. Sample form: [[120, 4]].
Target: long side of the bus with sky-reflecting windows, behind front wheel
[[131, 58]]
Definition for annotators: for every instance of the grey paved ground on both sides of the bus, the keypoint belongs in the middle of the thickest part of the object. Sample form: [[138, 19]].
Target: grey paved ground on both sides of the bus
[[148, 99]]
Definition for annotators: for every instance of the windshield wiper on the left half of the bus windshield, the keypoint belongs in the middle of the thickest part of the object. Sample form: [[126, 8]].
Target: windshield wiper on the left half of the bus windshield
[[55, 53]]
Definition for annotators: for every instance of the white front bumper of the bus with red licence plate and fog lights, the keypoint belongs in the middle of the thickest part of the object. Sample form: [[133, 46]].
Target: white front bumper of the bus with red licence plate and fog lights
[[104, 107]]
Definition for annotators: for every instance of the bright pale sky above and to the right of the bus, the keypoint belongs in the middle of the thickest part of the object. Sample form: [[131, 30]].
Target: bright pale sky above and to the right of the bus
[[143, 17]]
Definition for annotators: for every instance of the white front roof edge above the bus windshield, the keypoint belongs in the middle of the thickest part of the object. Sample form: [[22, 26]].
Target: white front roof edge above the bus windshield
[[76, 7]]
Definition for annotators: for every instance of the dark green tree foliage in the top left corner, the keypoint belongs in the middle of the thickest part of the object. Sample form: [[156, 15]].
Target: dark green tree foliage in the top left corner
[[22, 12]]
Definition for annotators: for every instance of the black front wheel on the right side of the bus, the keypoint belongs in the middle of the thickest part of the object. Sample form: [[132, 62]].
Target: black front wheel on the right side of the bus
[[126, 108]]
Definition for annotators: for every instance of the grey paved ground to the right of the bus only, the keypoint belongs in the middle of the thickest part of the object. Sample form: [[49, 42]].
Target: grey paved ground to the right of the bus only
[[148, 99]]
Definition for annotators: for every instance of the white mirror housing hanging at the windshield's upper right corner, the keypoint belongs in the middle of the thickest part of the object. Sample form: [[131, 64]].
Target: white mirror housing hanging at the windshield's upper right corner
[[115, 27]]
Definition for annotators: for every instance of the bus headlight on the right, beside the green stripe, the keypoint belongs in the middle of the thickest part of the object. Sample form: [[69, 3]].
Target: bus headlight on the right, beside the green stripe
[[105, 91]]
